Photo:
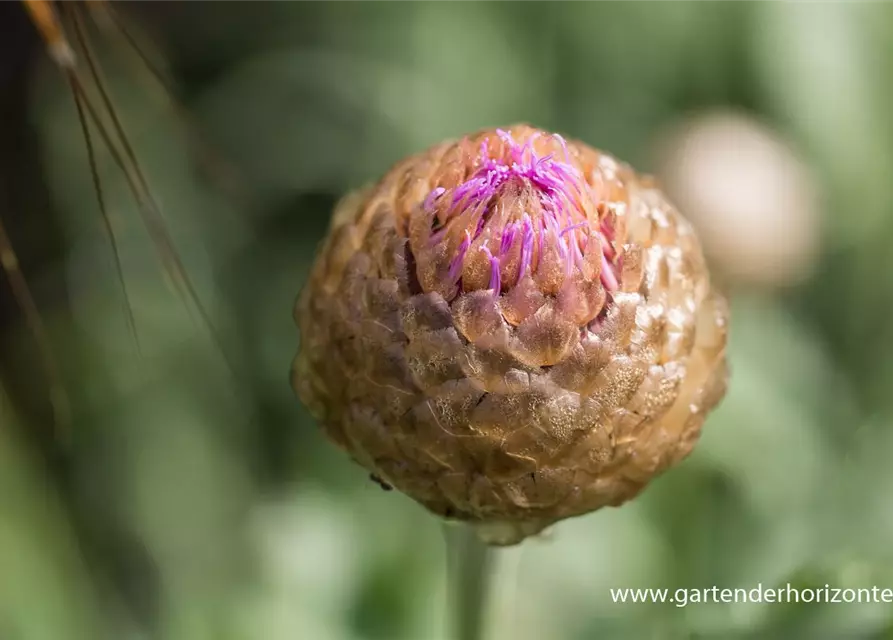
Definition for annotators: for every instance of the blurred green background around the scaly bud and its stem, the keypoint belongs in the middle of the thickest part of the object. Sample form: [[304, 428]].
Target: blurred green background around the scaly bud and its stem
[[187, 504]]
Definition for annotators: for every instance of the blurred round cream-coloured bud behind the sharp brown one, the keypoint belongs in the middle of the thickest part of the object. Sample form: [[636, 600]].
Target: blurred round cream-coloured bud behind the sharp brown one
[[754, 203]]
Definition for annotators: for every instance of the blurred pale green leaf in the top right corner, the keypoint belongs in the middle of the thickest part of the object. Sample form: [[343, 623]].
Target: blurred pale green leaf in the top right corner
[[821, 74]]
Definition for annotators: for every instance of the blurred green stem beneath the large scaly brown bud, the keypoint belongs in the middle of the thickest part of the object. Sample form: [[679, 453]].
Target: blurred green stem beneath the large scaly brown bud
[[470, 575]]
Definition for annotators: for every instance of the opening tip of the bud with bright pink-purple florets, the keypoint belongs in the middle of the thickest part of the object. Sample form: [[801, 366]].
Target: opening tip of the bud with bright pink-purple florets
[[522, 212]]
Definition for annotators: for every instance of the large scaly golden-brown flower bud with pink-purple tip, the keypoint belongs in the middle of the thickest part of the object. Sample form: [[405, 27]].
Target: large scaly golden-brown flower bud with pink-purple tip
[[511, 329]]
